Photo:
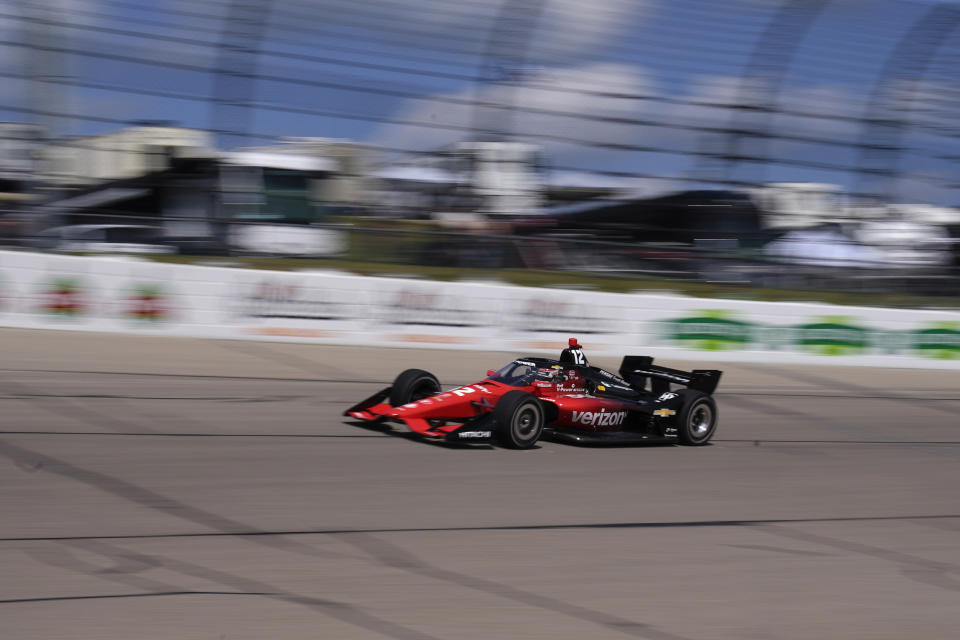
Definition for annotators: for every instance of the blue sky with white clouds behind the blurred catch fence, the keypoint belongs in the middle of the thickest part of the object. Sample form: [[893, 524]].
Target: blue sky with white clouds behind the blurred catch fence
[[635, 87]]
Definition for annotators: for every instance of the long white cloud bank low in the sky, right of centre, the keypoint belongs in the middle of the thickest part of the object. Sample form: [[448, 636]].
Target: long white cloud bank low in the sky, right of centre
[[586, 91]]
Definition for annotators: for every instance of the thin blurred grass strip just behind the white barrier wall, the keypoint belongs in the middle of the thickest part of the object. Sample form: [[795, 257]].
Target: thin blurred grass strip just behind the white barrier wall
[[572, 280]]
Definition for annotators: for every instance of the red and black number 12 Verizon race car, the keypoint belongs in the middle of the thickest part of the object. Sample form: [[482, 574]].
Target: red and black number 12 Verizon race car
[[564, 400]]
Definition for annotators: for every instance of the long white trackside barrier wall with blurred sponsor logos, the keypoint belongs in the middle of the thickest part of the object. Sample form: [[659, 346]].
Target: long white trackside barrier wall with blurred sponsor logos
[[133, 296]]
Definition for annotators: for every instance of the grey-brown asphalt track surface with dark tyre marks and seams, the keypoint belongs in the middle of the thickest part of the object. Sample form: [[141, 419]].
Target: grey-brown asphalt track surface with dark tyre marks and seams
[[202, 489]]
